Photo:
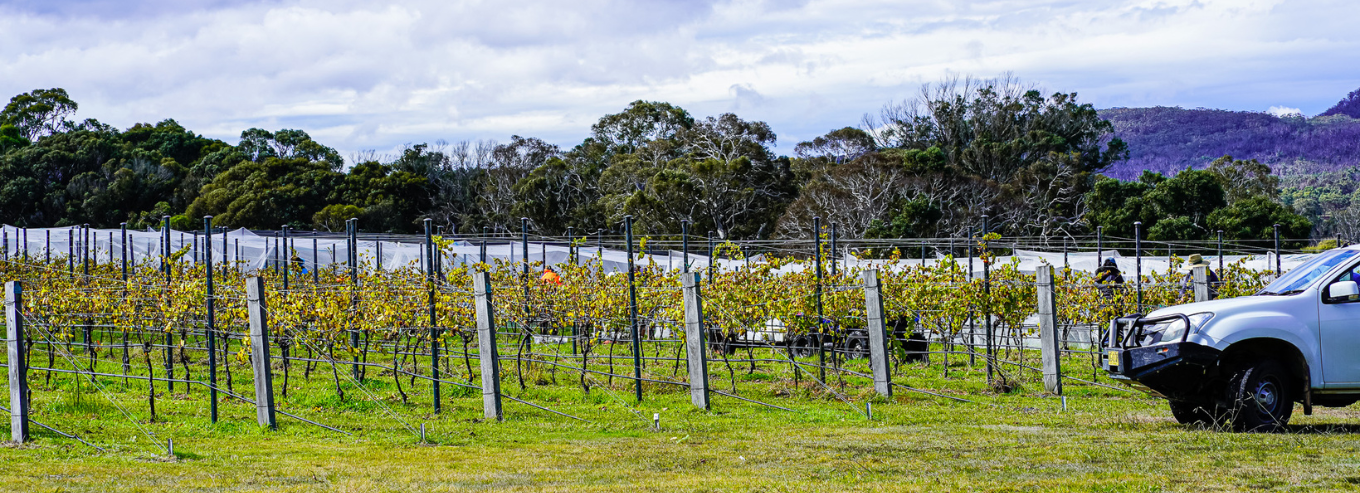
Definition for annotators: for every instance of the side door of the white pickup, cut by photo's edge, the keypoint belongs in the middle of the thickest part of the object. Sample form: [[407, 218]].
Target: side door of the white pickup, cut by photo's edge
[[1339, 332]]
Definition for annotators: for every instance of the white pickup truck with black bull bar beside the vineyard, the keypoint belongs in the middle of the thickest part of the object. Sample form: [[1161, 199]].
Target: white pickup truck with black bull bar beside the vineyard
[[1246, 362]]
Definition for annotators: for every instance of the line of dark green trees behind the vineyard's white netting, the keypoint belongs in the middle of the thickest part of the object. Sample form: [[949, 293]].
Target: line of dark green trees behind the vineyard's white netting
[[928, 167]]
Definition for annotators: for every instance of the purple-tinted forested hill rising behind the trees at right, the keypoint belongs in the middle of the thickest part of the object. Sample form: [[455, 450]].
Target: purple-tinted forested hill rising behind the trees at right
[[1169, 140]]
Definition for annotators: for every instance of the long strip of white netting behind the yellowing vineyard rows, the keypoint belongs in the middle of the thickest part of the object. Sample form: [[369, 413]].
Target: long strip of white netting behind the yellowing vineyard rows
[[254, 253]]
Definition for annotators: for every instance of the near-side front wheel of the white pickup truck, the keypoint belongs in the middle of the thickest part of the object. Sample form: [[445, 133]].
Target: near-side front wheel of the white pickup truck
[[1260, 398]]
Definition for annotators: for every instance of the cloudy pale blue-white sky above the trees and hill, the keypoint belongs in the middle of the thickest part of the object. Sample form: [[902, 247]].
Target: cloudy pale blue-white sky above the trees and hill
[[375, 77]]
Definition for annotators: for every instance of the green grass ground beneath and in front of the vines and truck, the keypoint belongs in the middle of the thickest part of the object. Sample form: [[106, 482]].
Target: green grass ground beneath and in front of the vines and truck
[[1105, 442]]
